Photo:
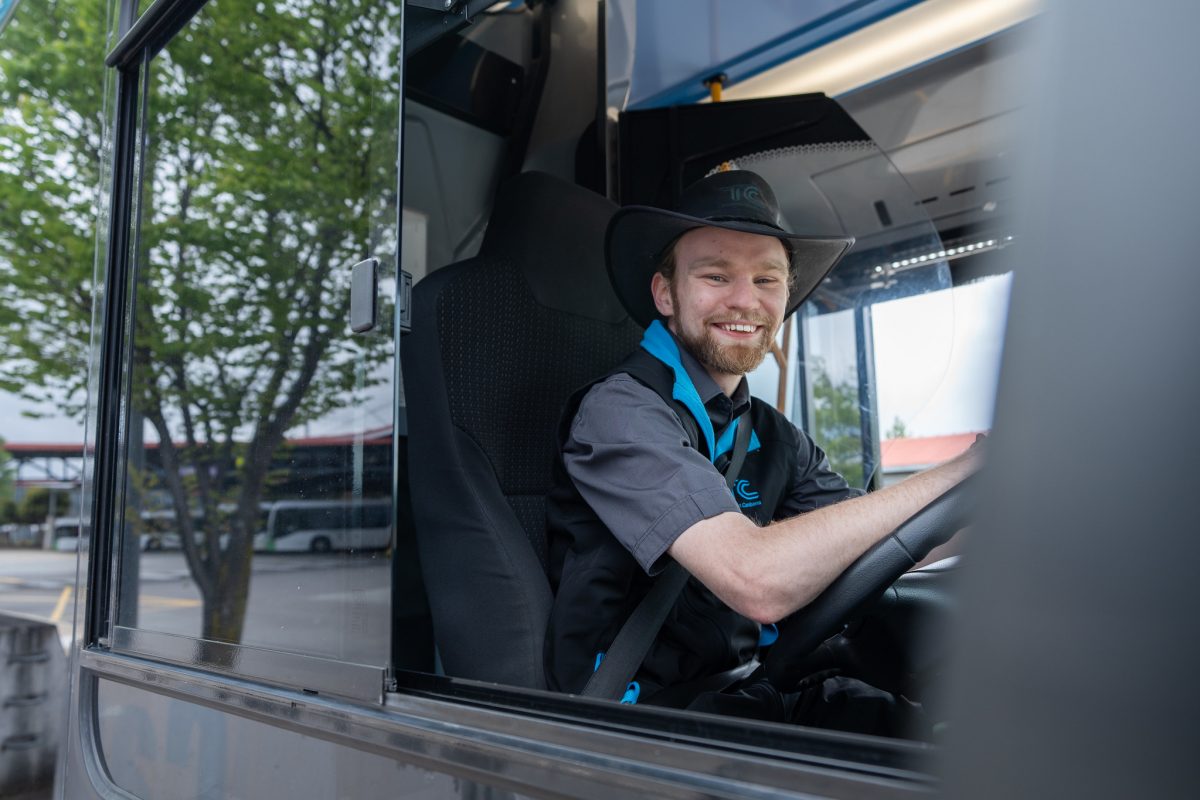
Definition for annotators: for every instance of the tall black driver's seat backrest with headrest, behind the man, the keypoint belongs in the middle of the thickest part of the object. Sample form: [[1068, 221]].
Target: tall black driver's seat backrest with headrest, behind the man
[[499, 345]]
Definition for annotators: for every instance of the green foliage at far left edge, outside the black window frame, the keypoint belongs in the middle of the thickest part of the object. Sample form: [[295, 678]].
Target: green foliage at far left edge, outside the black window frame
[[51, 147]]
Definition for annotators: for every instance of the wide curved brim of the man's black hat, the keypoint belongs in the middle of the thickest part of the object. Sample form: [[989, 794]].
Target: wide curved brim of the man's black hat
[[638, 236]]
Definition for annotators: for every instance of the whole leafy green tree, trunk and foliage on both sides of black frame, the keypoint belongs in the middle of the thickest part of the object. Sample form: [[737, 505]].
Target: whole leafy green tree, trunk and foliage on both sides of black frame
[[271, 170]]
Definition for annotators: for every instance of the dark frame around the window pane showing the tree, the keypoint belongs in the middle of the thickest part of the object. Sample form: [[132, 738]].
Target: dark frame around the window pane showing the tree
[[141, 39]]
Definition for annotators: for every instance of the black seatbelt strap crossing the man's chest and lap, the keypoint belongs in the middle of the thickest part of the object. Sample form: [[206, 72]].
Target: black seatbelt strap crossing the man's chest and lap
[[634, 640]]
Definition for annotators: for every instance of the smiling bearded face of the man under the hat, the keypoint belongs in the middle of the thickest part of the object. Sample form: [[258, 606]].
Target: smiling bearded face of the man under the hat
[[728, 298]]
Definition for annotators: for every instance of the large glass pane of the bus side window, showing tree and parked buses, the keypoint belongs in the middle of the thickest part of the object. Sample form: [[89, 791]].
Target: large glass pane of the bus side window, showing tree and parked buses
[[260, 429]]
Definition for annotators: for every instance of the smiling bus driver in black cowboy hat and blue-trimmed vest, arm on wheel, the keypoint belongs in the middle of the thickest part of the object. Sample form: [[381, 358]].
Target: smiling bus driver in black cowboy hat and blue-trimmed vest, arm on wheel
[[640, 482]]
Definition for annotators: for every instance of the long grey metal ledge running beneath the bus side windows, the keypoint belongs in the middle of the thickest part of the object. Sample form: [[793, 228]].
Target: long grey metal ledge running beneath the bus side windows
[[509, 750]]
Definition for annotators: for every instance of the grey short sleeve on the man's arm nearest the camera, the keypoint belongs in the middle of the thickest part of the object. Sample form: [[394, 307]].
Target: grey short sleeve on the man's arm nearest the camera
[[629, 456]]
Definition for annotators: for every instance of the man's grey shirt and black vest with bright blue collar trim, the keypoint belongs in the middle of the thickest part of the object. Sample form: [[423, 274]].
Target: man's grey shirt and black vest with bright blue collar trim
[[631, 480]]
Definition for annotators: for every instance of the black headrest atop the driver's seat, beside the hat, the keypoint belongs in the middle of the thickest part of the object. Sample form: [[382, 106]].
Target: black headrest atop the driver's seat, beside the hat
[[555, 232]]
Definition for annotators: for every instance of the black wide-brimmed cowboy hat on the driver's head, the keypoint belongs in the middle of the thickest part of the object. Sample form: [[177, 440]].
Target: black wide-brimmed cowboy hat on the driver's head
[[736, 201]]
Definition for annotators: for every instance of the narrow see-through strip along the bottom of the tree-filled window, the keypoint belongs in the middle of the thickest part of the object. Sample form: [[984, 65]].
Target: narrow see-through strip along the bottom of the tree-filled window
[[301, 672]]
